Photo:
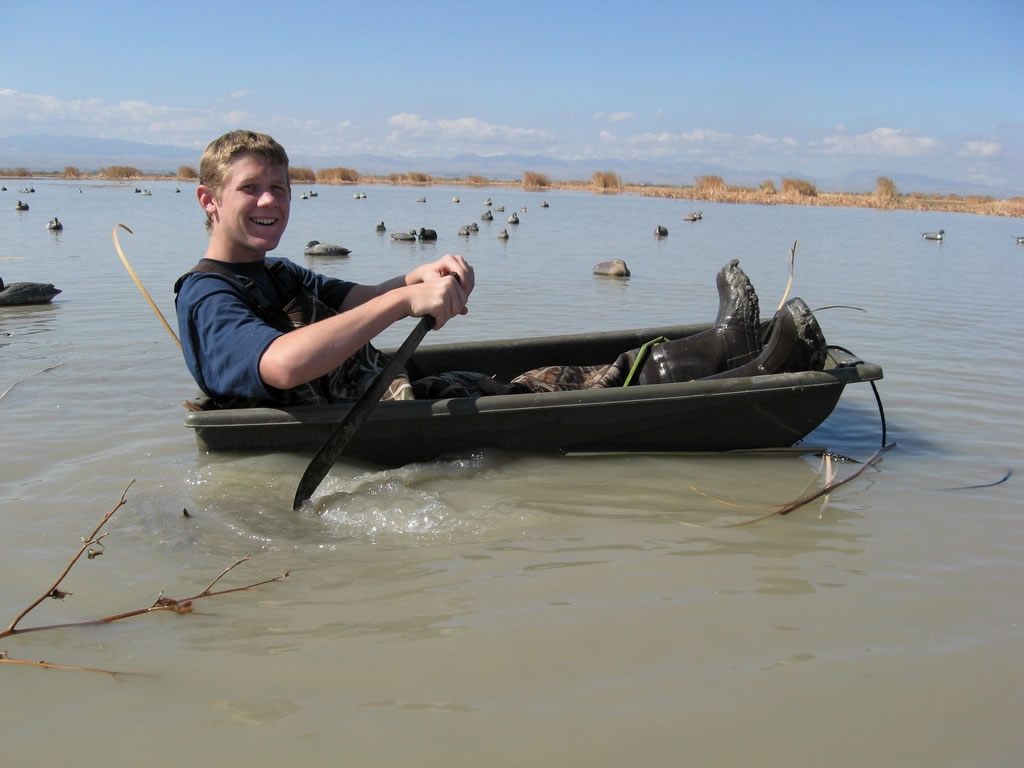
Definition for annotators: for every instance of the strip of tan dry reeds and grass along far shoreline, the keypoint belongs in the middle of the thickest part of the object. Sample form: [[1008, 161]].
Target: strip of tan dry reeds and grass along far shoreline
[[710, 189]]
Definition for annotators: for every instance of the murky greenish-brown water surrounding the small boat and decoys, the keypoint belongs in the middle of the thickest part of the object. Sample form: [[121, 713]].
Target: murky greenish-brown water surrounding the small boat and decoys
[[513, 610]]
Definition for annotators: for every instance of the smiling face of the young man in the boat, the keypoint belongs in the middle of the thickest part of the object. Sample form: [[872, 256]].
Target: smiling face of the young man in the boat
[[251, 212]]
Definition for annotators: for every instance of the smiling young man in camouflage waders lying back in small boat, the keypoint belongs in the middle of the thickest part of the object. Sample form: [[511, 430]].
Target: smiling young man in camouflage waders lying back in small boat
[[258, 330]]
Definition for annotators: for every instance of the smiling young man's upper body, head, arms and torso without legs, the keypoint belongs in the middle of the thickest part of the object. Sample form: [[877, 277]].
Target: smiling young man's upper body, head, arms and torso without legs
[[258, 330]]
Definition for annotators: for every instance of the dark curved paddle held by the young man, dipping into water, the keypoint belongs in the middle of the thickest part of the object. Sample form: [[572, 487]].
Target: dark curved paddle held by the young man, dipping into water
[[335, 445]]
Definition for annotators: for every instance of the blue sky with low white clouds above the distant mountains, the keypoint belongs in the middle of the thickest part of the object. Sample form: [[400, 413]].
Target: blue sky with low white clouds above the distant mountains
[[816, 89]]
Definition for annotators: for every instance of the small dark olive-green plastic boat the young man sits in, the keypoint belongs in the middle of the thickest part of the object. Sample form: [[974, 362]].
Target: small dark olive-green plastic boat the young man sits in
[[753, 412]]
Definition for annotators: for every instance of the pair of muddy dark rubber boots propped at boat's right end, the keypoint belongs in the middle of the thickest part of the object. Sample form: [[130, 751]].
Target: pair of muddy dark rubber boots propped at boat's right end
[[734, 346]]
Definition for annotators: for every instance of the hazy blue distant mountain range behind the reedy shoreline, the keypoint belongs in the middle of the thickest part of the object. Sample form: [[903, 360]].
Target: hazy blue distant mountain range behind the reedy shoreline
[[54, 154]]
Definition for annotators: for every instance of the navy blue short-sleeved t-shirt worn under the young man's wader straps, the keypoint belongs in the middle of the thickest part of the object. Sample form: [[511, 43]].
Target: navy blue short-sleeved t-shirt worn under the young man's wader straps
[[223, 338]]
